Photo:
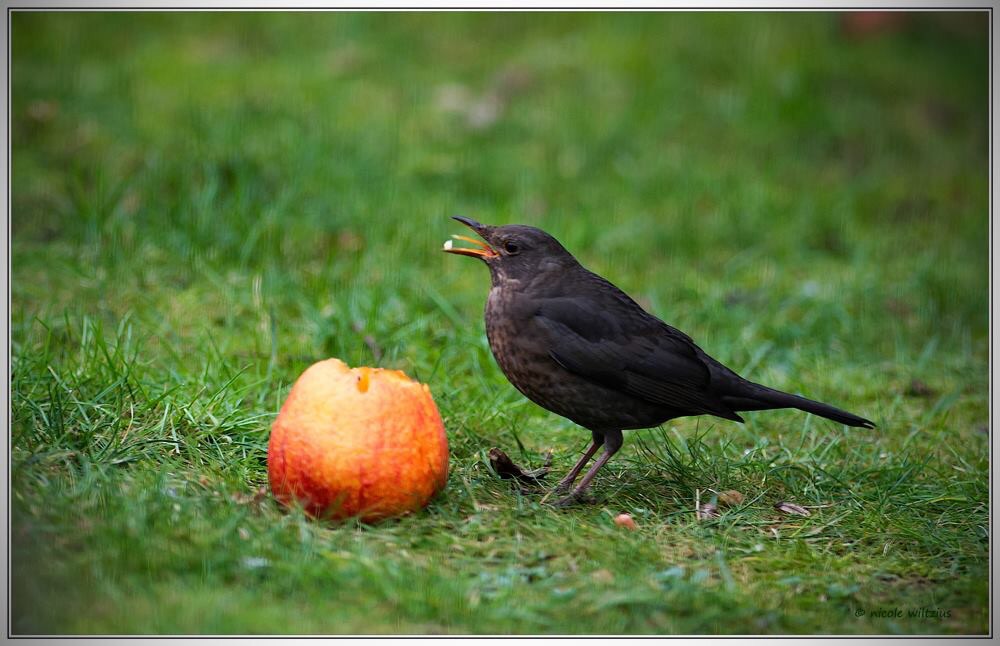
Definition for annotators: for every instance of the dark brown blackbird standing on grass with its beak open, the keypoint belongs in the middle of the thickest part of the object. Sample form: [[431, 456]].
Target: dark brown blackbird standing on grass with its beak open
[[578, 346]]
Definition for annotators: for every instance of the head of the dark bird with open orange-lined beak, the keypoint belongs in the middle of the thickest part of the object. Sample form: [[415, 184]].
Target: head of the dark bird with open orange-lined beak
[[513, 251]]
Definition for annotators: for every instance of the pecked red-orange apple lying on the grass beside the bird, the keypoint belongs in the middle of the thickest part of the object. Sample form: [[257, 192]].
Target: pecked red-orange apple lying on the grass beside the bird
[[357, 442]]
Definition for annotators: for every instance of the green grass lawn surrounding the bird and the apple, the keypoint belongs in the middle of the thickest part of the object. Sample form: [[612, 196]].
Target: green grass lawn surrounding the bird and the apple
[[205, 204]]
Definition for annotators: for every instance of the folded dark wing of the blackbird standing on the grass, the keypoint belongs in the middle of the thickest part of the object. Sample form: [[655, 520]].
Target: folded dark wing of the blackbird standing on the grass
[[630, 351]]
